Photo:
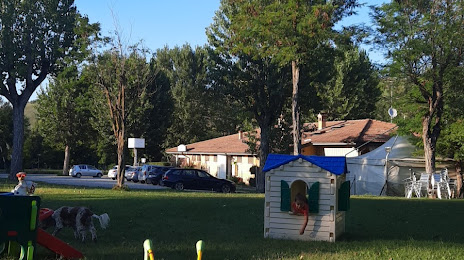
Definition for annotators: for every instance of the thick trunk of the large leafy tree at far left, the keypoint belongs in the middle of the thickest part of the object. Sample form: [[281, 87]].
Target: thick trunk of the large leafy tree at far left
[[18, 140]]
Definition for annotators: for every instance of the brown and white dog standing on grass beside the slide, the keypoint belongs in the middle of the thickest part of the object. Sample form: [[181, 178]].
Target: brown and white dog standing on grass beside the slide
[[77, 218]]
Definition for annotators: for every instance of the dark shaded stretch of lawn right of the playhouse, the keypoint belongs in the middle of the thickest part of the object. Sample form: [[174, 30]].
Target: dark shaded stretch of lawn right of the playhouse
[[404, 219]]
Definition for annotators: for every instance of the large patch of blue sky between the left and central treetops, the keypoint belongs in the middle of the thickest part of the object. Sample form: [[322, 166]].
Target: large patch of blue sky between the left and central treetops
[[157, 22]]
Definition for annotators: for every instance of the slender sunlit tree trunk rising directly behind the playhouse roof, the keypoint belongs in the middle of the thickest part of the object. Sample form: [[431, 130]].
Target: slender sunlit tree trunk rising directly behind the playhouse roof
[[296, 109]]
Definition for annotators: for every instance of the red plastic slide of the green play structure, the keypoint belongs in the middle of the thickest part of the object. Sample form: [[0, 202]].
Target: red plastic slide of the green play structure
[[54, 244]]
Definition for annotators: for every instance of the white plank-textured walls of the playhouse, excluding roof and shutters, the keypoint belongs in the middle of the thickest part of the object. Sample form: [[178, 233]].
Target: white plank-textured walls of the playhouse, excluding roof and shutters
[[326, 225]]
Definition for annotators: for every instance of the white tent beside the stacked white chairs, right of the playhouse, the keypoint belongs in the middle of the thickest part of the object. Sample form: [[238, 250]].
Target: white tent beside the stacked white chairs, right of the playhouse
[[378, 172]]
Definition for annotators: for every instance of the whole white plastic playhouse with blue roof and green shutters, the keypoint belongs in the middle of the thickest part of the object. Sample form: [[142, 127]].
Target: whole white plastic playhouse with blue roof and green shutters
[[322, 180]]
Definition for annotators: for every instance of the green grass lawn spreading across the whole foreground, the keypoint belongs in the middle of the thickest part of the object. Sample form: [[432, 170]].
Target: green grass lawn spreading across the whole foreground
[[231, 226]]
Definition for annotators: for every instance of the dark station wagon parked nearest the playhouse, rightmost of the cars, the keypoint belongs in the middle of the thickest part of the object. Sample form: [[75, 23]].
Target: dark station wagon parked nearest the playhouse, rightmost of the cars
[[181, 179]]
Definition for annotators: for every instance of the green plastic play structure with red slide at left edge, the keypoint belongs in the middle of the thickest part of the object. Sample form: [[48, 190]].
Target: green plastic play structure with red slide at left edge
[[19, 234]]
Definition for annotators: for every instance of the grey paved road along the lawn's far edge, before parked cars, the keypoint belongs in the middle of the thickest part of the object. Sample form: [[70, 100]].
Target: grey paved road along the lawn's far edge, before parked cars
[[103, 182]]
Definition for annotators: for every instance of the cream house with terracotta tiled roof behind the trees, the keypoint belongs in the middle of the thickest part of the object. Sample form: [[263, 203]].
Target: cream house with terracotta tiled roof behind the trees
[[230, 156]]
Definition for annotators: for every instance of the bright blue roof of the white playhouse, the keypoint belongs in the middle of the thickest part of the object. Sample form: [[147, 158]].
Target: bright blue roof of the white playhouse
[[333, 164]]
